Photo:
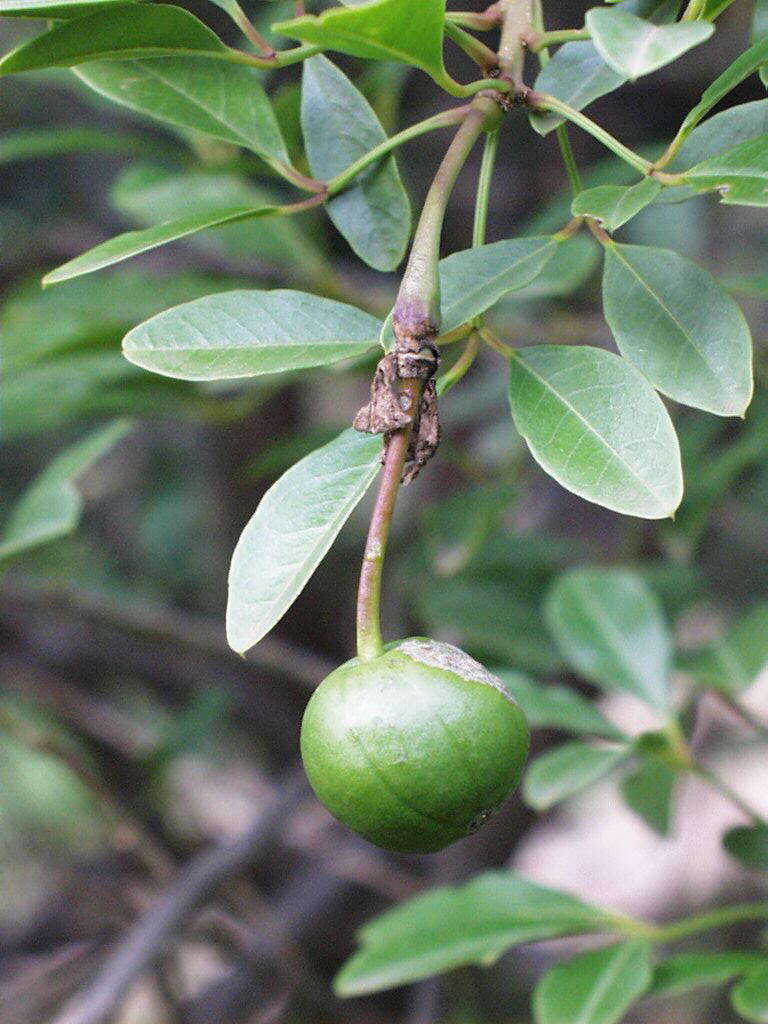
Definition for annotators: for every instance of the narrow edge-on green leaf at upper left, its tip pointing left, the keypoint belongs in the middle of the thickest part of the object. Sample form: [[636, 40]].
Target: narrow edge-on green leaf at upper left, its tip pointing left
[[133, 243]]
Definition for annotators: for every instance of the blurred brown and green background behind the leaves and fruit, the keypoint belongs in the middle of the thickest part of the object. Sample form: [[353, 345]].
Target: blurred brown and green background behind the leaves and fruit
[[135, 745]]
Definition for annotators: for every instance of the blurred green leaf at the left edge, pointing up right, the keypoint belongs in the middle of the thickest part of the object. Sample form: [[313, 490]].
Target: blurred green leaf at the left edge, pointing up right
[[52, 507]]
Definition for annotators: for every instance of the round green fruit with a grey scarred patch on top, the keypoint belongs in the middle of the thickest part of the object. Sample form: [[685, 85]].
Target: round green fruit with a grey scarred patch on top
[[413, 750]]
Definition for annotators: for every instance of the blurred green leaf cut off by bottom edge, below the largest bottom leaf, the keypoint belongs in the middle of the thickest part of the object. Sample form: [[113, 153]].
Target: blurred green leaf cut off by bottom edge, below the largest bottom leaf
[[598, 988]]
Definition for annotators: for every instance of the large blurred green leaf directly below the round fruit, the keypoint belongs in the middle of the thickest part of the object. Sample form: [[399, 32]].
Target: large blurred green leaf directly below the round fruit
[[452, 927]]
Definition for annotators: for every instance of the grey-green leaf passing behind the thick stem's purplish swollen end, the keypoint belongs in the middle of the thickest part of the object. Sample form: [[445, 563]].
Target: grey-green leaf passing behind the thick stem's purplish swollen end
[[473, 281]]
